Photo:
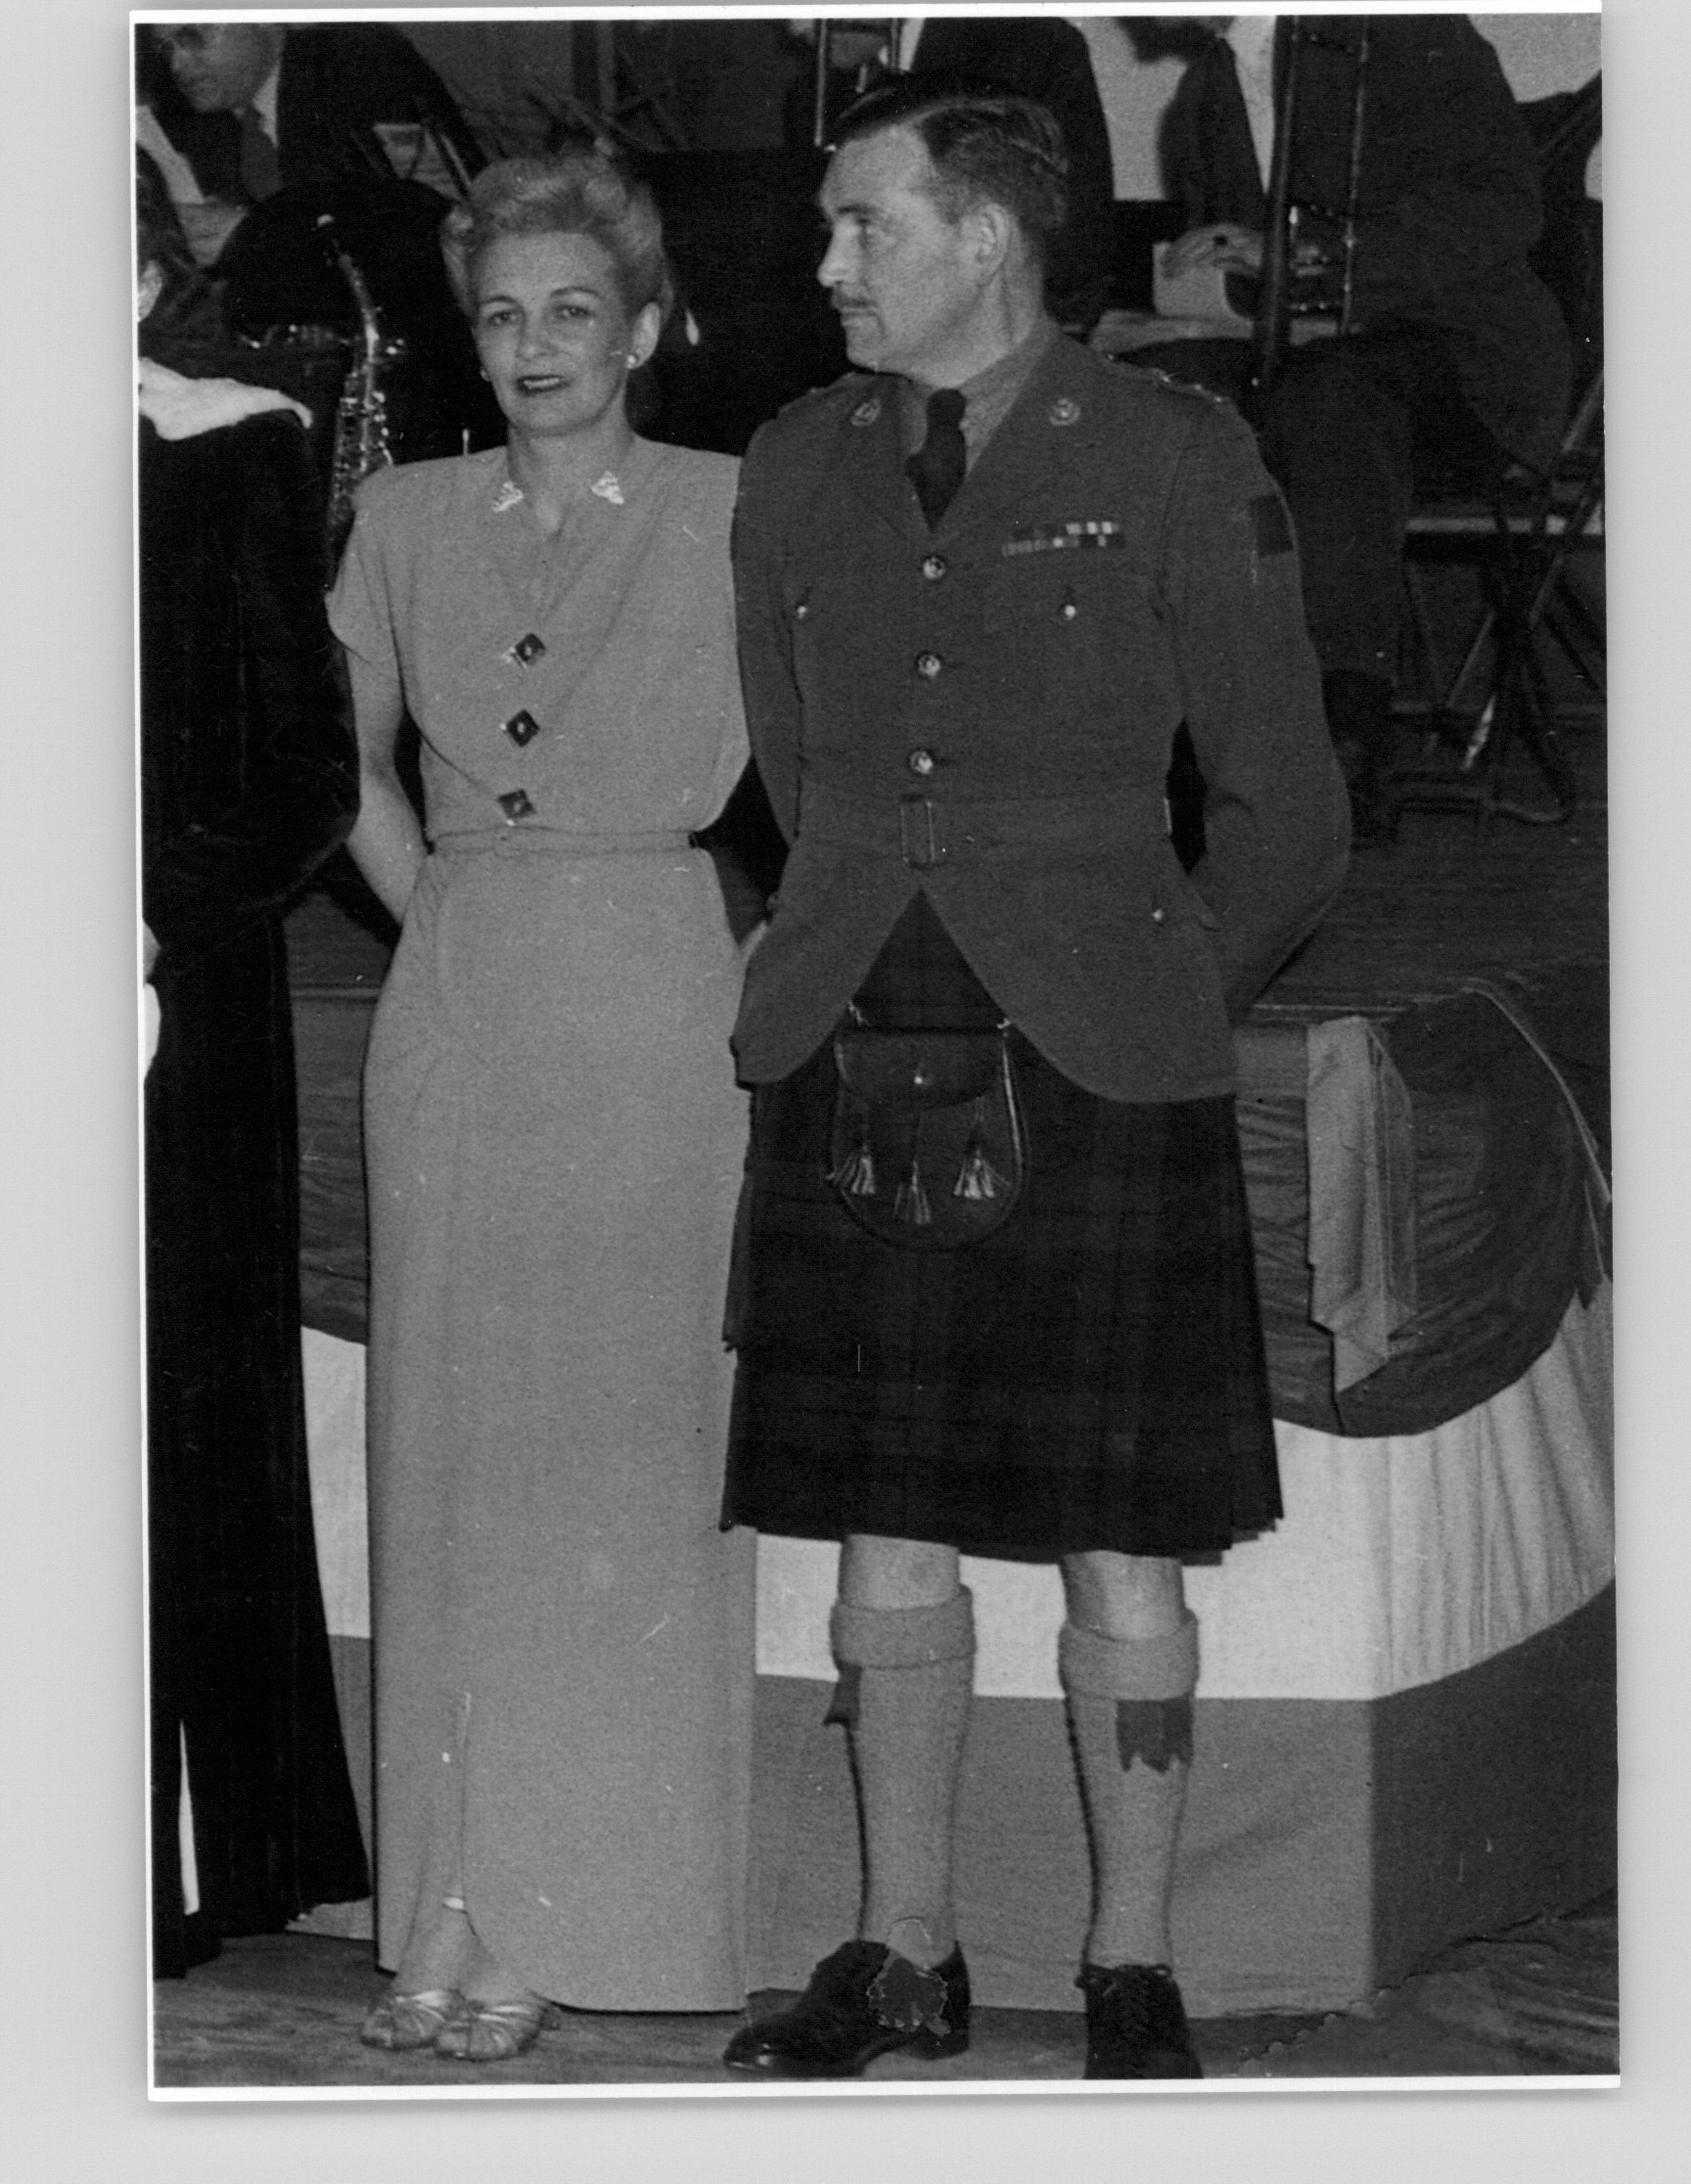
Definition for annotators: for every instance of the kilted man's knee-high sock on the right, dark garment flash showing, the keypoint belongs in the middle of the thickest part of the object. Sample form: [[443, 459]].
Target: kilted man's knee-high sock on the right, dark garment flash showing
[[1131, 1707]]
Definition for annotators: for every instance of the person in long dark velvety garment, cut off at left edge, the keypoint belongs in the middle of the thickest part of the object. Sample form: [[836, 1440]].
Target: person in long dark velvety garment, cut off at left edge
[[248, 783]]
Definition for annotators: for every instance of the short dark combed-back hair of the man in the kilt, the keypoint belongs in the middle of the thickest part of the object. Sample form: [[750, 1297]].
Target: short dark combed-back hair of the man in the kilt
[[986, 147]]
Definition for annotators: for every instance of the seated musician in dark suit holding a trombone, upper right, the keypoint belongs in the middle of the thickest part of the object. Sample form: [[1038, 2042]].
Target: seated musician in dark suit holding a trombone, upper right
[[1415, 198]]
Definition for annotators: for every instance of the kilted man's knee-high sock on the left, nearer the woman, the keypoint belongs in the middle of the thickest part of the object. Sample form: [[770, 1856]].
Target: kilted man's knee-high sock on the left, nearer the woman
[[906, 1694]]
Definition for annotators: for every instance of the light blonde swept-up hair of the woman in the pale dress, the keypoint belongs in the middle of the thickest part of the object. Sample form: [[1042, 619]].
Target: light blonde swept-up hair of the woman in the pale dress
[[580, 191]]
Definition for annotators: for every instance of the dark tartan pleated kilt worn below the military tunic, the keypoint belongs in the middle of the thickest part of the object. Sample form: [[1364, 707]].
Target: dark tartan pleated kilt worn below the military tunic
[[1089, 1377]]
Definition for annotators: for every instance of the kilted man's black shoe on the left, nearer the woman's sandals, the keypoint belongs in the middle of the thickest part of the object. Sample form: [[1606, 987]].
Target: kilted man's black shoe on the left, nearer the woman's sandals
[[862, 2002]]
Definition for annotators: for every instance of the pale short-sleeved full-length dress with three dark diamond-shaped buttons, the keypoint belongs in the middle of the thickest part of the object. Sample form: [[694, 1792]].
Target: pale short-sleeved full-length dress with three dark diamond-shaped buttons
[[554, 1146]]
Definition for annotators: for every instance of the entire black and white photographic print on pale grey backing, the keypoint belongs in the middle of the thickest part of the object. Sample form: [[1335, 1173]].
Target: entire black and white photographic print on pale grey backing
[[875, 1001]]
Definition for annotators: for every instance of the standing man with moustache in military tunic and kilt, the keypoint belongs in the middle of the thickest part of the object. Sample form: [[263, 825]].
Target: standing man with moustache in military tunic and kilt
[[997, 1290]]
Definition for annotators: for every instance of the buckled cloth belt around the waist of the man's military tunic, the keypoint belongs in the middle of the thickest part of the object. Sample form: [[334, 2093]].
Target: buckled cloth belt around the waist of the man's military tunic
[[932, 831]]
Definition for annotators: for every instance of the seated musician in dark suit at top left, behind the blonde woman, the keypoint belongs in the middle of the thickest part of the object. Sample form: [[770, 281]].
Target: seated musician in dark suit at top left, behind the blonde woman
[[261, 130]]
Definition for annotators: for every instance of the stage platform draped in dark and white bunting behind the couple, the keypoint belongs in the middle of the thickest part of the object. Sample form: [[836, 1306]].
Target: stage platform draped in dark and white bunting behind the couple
[[1408, 1692]]
